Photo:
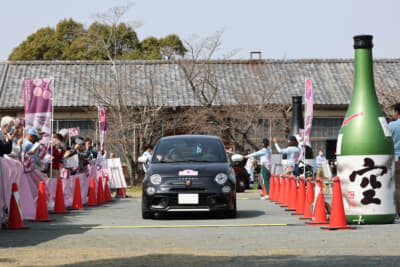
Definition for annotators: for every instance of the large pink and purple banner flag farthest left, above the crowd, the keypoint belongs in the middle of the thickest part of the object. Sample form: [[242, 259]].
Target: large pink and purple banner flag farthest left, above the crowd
[[38, 104]]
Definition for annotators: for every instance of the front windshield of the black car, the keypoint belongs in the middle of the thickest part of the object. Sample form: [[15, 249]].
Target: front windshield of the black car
[[189, 150]]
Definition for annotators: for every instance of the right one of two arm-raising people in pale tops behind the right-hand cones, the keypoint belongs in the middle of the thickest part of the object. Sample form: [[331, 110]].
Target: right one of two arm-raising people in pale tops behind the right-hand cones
[[293, 152]]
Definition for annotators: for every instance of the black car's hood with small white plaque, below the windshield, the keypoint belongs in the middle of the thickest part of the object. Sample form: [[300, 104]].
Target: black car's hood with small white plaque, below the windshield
[[189, 169]]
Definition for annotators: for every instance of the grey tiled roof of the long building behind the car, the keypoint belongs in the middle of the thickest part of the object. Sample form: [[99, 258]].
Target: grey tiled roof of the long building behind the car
[[332, 80]]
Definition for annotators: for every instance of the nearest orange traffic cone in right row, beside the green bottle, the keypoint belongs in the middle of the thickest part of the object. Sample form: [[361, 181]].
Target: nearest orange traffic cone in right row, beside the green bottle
[[337, 220]]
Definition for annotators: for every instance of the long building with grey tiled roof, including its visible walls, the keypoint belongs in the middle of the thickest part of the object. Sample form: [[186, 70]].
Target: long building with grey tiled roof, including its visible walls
[[332, 84]]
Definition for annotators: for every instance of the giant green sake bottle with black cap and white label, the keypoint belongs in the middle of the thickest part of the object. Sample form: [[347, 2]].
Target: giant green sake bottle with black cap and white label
[[365, 159]]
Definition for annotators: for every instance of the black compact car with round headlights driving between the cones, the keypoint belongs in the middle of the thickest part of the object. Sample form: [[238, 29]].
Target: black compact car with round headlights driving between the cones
[[189, 173]]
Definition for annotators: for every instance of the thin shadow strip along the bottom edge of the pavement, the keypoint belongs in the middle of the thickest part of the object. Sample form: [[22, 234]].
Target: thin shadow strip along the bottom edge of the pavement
[[281, 260]]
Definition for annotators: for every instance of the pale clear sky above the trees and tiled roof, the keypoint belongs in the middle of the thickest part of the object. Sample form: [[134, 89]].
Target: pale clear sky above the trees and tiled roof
[[280, 29]]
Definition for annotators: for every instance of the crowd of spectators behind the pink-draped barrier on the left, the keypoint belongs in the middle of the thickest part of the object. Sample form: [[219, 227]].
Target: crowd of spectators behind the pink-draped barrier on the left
[[37, 150]]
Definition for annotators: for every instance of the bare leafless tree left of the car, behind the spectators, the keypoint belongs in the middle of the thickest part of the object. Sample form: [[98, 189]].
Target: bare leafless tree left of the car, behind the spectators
[[133, 112]]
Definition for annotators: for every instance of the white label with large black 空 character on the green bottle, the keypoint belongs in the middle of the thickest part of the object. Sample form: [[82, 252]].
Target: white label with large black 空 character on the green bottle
[[367, 183]]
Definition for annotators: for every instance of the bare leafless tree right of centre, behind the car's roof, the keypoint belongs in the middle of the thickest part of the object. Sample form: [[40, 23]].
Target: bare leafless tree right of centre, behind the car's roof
[[236, 116]]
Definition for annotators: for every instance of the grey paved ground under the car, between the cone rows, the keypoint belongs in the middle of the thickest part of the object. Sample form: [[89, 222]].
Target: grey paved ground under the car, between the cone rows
[[263, 234]]
